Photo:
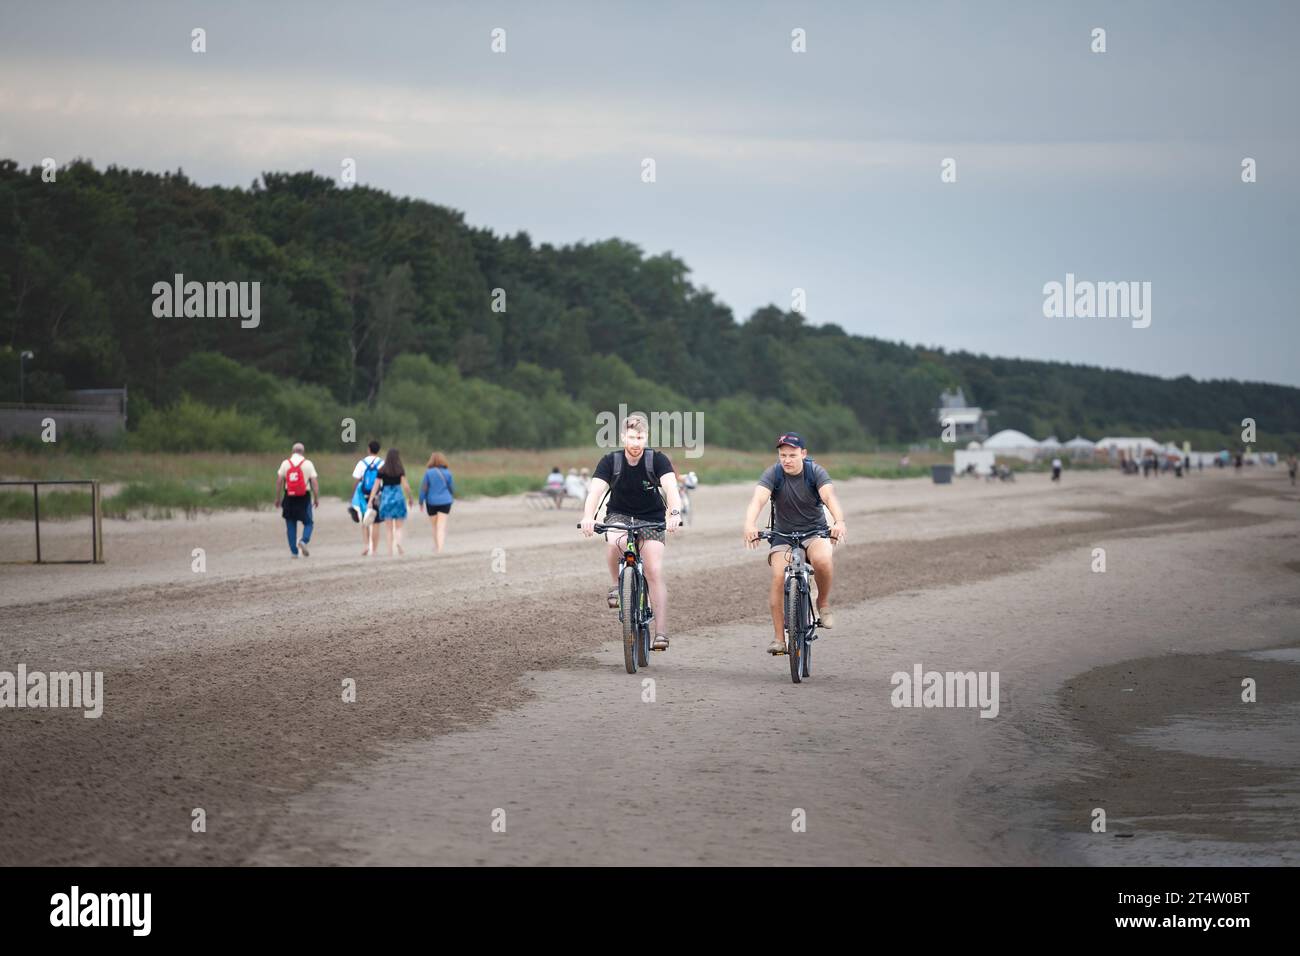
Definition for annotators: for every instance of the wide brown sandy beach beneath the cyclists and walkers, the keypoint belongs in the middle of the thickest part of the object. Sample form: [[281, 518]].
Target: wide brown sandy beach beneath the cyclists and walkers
[[489, 689]]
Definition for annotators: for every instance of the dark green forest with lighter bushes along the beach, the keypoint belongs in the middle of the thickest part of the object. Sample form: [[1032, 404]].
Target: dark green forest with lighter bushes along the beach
[[387, 310]]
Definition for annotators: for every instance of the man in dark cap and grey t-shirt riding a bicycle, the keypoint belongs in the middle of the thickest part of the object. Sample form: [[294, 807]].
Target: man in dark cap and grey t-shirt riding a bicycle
[[798, 487]]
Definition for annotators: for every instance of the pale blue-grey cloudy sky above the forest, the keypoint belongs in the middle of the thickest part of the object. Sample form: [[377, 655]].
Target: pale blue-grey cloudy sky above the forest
[[775, 170]]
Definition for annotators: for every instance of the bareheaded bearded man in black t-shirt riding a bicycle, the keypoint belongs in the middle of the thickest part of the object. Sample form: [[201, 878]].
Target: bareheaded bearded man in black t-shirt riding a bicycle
[[632, 477]]
